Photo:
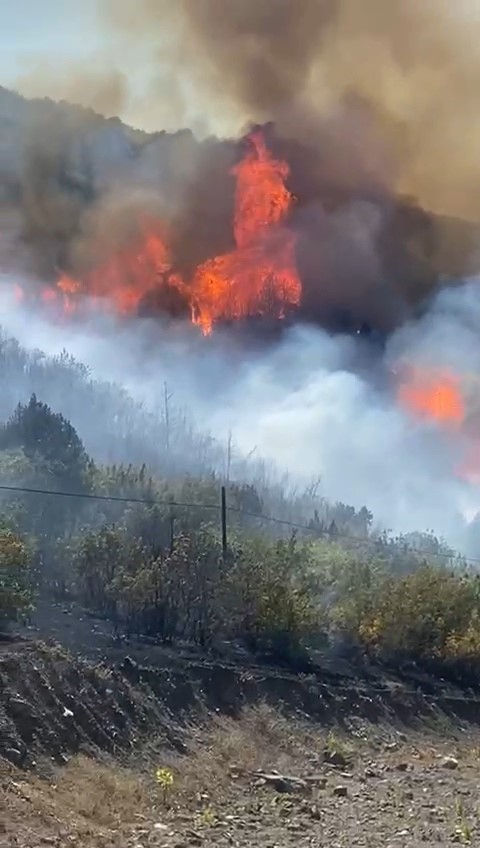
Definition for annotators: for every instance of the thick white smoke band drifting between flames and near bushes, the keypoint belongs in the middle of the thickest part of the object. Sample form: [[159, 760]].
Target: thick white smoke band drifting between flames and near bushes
[[319, 407]]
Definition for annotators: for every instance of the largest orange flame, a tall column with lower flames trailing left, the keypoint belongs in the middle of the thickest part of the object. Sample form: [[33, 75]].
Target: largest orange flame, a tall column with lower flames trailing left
[[258, 277]]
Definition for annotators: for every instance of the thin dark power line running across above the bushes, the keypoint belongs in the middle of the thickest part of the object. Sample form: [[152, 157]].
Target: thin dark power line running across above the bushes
[[237, 510]]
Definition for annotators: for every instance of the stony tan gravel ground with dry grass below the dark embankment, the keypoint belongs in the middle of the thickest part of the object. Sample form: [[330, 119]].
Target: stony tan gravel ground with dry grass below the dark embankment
[[373, 787]]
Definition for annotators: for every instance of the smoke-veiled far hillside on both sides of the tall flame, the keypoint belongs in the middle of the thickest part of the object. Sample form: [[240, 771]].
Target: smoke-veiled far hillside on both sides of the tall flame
[[63, 168]]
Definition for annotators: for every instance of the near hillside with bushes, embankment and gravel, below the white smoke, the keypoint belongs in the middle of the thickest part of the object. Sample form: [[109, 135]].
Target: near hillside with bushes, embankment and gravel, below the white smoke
[[155, 691]]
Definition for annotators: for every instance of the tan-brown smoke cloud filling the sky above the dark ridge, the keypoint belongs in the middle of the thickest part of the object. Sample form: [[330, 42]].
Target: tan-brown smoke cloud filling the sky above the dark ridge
[[414, 66]]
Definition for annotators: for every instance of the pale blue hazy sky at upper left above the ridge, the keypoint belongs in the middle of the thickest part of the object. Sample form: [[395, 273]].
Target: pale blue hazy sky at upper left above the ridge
[[63, 49]]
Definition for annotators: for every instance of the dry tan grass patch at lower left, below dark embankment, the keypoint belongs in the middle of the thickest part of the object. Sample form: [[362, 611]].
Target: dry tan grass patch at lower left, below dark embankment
[[99, 803]]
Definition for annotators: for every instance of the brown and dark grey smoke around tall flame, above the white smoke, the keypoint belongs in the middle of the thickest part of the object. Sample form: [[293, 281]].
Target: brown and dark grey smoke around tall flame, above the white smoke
[[371, 104]]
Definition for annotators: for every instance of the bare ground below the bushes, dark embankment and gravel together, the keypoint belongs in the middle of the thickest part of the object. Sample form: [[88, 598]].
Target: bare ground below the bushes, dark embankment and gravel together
[[367, 757]]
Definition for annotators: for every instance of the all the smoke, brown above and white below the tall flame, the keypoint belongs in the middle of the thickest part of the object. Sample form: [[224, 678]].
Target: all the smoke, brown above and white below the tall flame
[[368, 102]]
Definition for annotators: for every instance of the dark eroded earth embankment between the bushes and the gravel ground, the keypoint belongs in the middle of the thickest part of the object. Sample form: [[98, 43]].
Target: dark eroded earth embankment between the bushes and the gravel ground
[[53, 704]]
